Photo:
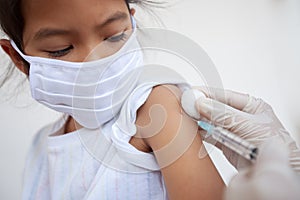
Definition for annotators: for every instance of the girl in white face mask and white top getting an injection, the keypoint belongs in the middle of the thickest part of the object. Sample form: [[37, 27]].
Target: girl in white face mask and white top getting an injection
[[49, 42]]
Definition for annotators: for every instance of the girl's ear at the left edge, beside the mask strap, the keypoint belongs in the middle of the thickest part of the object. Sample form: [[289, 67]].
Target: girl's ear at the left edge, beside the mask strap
[[14, 56]]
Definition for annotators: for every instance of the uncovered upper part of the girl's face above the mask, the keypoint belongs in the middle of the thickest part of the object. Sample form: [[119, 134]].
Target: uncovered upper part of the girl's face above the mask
[[71, 29]]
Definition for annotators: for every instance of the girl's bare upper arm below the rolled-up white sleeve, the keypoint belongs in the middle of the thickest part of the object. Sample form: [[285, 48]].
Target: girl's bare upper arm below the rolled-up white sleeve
[[172, 136]]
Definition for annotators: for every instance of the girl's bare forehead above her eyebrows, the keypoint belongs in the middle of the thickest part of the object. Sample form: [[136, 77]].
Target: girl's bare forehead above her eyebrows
[[77, 15]]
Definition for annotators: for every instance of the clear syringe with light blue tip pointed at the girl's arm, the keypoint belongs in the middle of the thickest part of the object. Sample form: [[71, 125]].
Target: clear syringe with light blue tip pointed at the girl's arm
[[230, 140]]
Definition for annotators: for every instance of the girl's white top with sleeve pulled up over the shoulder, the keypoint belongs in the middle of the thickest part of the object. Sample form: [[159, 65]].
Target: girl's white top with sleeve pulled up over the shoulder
[[96, 164]]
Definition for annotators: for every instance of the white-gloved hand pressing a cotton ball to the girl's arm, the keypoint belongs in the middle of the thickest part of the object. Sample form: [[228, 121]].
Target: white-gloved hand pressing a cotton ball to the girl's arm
[[250, 118]]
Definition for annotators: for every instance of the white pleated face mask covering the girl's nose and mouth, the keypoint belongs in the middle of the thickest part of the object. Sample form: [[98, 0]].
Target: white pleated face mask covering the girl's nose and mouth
[[91, 92]]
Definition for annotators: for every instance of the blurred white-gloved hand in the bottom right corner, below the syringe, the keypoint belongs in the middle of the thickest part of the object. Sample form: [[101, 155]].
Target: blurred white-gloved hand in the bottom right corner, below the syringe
[[271, 178]]
